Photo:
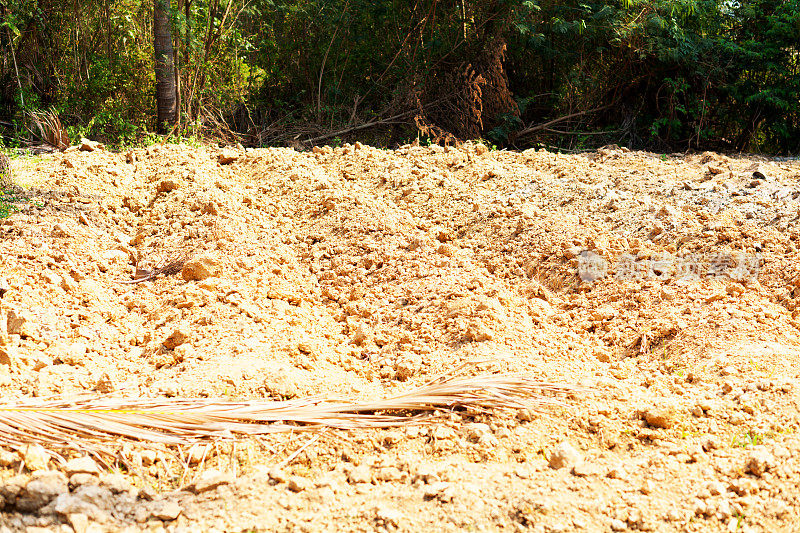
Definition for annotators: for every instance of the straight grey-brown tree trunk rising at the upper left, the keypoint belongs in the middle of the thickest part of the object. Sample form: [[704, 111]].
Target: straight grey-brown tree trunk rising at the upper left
[[166, 89]]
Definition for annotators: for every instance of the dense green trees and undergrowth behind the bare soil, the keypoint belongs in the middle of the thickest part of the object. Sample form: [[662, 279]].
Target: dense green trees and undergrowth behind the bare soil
[[647, 74]]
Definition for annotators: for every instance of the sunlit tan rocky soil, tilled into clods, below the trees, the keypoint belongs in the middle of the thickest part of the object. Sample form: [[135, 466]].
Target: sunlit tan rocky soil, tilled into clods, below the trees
[[665, 284]]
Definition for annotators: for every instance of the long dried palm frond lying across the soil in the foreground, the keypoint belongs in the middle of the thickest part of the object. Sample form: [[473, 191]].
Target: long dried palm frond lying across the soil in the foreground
[[91, 422]]
